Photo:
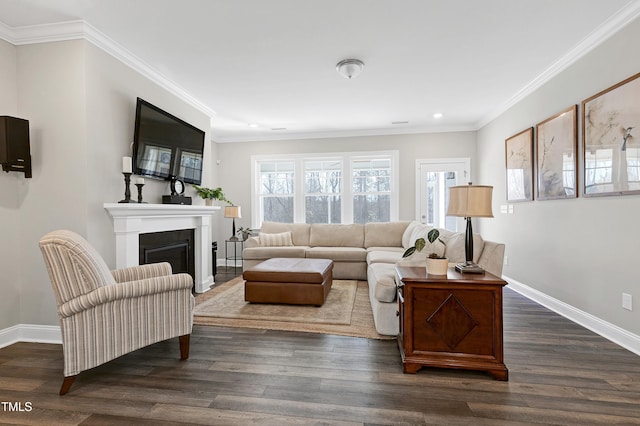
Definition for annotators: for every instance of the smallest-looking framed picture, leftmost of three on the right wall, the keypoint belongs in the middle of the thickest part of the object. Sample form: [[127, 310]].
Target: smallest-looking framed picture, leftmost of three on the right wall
[[519, 164]]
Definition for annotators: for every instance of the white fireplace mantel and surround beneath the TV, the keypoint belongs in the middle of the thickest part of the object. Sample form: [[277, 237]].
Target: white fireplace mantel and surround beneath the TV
[[132, 219]]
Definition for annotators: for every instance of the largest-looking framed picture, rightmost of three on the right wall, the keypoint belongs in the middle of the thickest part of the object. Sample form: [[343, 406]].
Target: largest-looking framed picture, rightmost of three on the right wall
[[611, 140]]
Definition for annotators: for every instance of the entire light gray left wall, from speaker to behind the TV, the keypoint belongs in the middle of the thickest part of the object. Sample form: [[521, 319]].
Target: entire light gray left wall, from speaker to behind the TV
[[80, 103]]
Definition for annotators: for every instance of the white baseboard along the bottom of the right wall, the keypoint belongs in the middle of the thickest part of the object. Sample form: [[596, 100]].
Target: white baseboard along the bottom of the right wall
[[605, 329]]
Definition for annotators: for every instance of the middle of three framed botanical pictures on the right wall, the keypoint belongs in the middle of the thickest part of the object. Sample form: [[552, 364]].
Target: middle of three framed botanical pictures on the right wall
[[556, 155]]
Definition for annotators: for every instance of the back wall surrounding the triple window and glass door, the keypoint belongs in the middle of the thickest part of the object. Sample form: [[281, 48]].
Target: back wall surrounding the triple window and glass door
[[234, 171]]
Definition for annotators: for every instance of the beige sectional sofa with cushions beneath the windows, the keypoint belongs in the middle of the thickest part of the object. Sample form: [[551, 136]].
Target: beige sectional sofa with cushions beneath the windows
[[365, 252]]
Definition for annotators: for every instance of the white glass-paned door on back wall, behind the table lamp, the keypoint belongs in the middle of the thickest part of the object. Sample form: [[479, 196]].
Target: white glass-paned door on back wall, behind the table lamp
[[433, 180]]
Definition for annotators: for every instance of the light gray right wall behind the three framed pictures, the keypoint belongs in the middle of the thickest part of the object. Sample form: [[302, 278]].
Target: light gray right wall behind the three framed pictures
[[577, 251]]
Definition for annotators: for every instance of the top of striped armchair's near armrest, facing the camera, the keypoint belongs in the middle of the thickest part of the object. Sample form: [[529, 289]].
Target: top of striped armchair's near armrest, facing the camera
[[126, 290]]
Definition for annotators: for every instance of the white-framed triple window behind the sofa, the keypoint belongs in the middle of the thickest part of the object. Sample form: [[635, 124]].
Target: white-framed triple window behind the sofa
[[325, 188]]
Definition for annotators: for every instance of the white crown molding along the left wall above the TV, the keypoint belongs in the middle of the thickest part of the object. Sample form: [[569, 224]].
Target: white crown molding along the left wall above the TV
[[81, 30]]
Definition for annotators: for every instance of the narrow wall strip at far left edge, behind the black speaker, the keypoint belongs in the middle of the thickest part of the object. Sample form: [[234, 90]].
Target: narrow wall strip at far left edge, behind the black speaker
[[10, 190]]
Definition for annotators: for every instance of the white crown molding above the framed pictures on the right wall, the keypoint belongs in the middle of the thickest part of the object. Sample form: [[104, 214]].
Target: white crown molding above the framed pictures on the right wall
[[607, 29]]
